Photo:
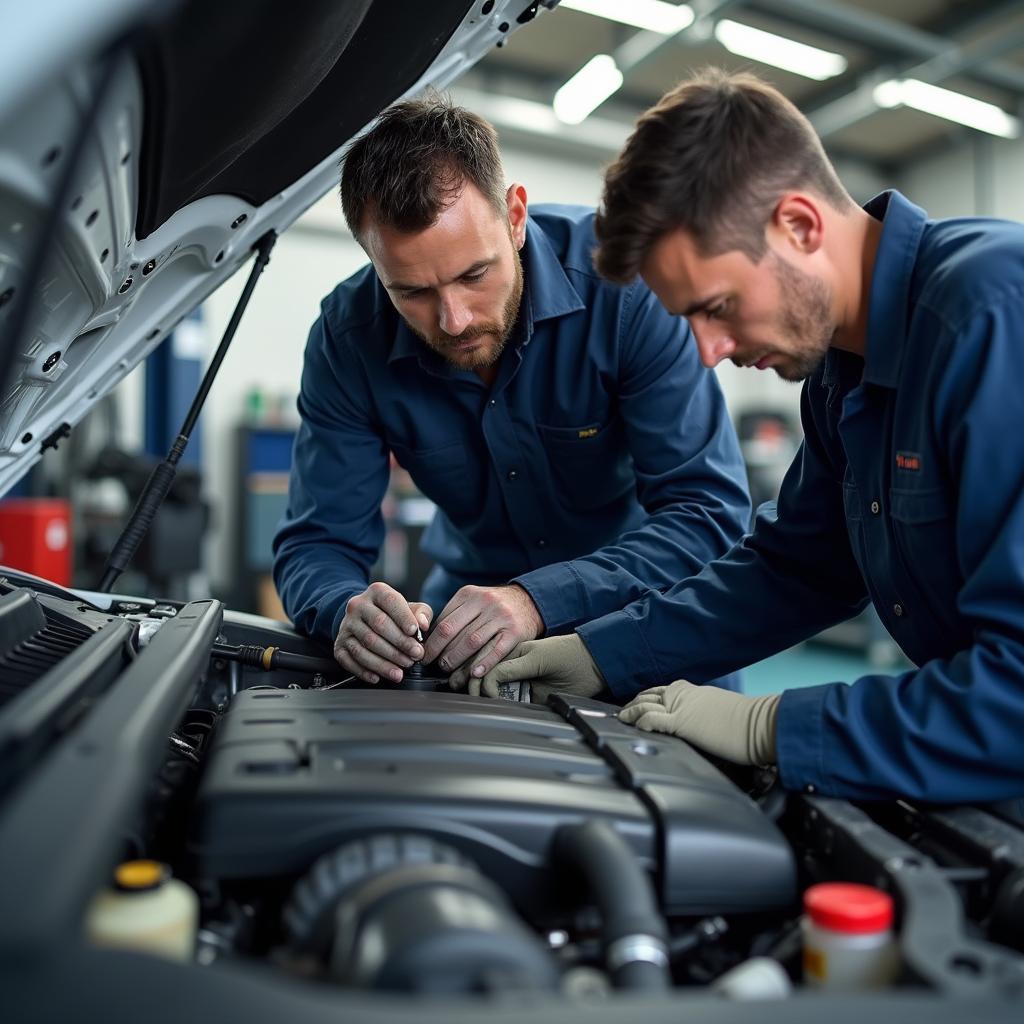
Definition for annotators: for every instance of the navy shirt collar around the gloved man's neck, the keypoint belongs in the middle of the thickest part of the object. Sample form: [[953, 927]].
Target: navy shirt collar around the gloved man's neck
[[888, 312]]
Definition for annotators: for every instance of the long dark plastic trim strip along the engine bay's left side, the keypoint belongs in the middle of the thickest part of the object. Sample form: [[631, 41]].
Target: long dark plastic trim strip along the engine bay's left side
[[63, 830]]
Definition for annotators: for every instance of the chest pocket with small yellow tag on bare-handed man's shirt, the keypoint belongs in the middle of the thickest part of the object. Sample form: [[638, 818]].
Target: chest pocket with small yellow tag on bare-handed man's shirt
[[591, 464]]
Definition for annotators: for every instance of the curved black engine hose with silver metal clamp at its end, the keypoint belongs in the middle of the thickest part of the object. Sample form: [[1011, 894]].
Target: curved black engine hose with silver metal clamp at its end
[[634, 931]]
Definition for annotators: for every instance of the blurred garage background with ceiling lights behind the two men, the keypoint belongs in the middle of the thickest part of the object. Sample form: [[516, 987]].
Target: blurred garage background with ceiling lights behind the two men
[[235, 487]]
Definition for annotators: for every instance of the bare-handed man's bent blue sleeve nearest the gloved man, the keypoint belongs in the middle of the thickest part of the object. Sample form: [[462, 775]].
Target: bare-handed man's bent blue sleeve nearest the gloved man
[[691, 476]]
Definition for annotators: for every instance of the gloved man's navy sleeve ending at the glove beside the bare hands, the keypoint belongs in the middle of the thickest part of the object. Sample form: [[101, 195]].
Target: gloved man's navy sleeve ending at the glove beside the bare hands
[[792, 577]]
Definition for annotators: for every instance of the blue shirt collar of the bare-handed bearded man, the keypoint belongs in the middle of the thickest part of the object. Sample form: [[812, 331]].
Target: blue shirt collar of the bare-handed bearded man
[[547, 293]]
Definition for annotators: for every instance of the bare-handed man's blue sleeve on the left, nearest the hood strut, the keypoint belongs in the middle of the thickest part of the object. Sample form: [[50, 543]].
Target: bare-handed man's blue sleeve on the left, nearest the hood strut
[[333, 528]]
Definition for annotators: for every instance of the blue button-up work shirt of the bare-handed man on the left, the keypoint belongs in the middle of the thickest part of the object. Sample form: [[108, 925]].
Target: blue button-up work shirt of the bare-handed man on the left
[[602, 463]]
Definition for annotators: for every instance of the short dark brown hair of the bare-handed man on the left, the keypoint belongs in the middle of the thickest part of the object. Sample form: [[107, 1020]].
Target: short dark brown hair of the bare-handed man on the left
[[414, 163]]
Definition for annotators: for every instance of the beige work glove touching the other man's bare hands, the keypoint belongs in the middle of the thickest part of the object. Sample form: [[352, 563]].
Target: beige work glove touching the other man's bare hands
[[559, 665]]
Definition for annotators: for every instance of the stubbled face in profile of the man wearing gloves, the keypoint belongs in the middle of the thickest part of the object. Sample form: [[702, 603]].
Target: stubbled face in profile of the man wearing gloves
[[770, 315]]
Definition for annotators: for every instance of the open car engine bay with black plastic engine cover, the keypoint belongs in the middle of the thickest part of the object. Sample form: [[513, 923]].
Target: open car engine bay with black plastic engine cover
[[385, 842]]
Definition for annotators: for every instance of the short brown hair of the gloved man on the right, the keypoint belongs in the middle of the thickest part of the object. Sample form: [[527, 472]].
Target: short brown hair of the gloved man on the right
[[713, 157]]
